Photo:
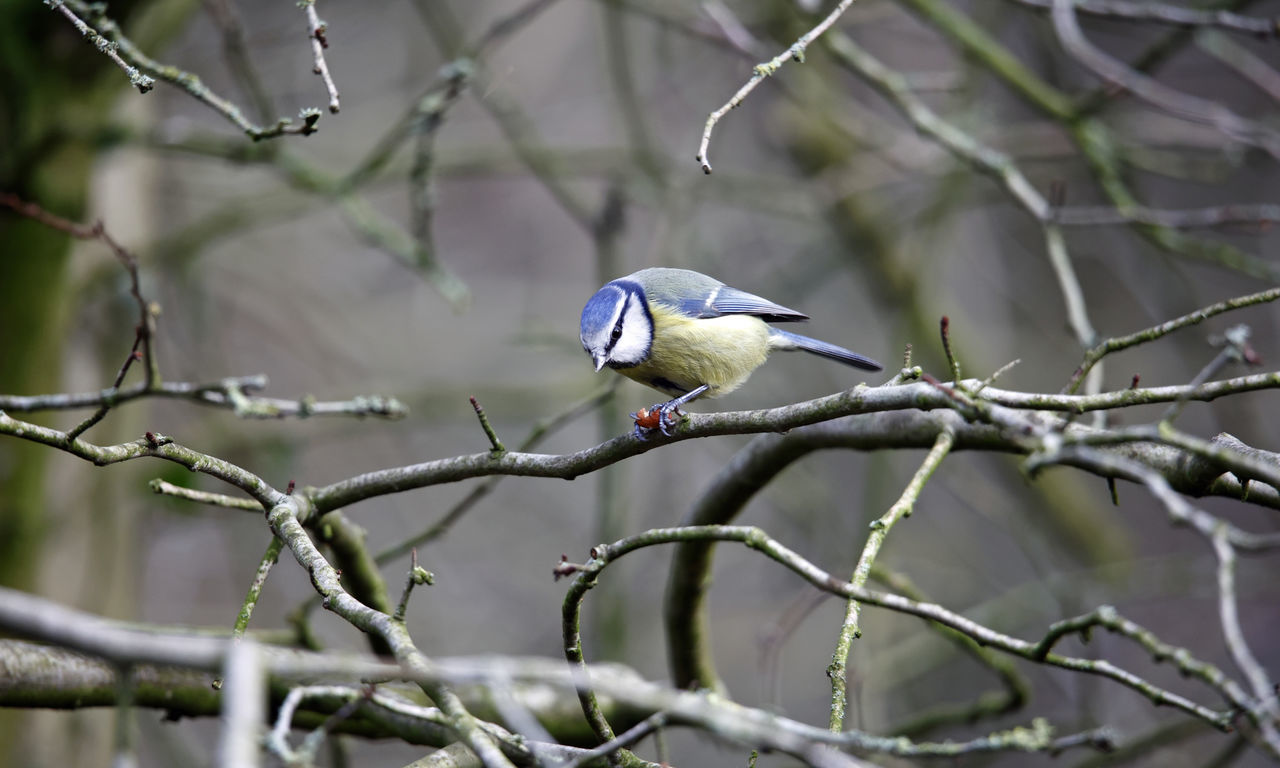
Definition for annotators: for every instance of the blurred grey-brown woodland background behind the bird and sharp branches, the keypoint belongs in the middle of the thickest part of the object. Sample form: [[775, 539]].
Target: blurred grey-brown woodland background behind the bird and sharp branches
[[566, 161]]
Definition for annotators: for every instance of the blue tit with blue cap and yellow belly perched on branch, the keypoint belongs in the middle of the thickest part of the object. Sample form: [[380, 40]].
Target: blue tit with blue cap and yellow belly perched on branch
[[689, 336]]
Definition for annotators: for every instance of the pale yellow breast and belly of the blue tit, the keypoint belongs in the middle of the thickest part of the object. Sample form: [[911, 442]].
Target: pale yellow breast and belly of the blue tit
[[687, 353]]
